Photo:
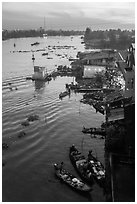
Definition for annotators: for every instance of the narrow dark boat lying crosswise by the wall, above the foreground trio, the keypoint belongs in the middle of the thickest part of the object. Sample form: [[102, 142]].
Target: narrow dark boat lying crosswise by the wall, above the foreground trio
[[96, 131]]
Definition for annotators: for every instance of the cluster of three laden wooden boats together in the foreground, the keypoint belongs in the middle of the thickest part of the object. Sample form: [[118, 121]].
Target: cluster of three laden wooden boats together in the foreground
[[89, 168]]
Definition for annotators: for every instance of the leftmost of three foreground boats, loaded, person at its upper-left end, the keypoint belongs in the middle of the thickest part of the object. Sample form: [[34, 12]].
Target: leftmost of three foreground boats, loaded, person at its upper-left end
[[71, 180]]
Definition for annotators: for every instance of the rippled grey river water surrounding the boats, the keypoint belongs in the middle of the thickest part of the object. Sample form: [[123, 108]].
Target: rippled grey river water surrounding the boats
[[28, 173]]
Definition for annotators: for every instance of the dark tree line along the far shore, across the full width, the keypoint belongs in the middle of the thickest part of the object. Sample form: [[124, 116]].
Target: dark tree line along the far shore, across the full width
[[113, 39]]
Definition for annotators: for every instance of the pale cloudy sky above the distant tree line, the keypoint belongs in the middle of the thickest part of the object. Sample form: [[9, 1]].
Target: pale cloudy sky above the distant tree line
[[68, 15]]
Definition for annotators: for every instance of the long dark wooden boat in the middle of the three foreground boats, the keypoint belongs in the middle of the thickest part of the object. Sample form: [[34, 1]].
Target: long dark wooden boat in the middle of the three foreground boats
[[80, 163]]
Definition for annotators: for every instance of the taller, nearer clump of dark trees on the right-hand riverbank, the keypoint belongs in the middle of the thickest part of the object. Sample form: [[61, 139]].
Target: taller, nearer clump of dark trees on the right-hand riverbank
[[114, 39]]
